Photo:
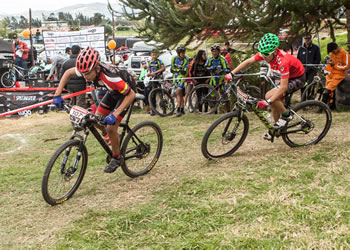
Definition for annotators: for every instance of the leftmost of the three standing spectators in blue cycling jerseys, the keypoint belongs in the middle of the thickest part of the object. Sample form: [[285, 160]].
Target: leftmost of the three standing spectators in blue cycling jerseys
[[155, 69]]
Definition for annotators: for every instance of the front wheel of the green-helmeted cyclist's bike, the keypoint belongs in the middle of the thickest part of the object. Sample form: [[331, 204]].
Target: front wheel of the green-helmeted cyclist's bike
[[225, 136]]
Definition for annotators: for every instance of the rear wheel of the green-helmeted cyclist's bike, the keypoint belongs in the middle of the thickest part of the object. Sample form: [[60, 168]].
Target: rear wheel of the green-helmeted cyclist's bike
[[310, 124]]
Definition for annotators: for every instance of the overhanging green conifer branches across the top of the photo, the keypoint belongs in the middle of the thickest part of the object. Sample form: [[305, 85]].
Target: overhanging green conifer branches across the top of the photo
[[233, 19]]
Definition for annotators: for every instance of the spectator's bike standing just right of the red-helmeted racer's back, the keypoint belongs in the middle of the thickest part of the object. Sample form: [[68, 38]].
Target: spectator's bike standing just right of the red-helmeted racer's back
[[162, 99]]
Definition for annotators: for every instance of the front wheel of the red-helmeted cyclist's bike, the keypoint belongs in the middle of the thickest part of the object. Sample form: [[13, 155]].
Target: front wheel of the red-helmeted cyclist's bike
[[64, 172]]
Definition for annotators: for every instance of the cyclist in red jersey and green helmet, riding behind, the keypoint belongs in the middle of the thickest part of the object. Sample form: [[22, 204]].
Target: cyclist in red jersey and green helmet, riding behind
[[291, 72]]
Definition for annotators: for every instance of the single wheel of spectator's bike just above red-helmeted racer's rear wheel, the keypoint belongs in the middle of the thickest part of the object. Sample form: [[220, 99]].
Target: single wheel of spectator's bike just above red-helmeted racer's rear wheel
[[161, 102]]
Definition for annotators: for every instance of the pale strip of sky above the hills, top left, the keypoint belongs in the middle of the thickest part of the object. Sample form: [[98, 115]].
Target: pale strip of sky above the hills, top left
[[18, 6]]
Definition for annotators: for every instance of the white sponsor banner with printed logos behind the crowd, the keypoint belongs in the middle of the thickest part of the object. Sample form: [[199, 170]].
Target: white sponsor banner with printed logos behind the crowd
[[57, 42]]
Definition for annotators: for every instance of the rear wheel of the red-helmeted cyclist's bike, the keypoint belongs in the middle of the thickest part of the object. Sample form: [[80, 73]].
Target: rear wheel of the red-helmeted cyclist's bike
[[141, 149]]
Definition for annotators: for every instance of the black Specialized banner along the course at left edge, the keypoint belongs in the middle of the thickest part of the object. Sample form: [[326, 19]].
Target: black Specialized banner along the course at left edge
[[14, 100]]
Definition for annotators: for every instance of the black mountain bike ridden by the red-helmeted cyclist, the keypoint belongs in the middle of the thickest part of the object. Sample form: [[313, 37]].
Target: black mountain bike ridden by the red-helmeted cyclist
[[141, 147]]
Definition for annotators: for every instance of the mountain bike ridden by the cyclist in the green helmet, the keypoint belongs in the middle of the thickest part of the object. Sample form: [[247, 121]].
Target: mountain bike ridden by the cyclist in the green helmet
[[310, 124]]
